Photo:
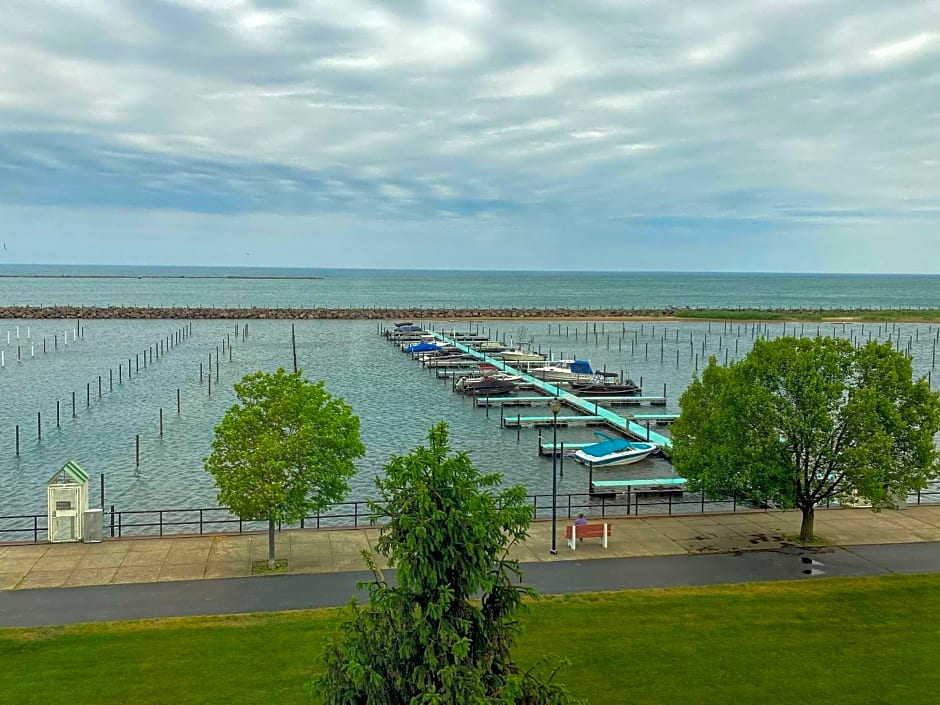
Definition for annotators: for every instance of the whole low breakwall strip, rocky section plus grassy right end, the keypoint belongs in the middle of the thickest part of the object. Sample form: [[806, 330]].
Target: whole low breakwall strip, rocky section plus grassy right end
[[471, 314]]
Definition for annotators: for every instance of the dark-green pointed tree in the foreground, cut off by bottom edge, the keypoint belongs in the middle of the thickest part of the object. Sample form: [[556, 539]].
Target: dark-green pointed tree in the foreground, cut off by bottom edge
[[444, 634]]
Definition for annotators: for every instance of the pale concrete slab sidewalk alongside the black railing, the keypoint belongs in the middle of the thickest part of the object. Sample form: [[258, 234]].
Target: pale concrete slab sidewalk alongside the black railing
[[145, 560]]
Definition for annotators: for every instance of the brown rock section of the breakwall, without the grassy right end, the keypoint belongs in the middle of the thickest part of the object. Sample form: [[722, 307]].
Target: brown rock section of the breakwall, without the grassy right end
[[383, 314]]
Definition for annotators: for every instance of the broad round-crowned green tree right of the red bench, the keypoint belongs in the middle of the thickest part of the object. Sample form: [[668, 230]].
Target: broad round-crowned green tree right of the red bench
[[799, 421]]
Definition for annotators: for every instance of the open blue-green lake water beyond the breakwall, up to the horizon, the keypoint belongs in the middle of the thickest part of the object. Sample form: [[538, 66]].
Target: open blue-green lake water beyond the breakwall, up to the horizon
[[338, 288]]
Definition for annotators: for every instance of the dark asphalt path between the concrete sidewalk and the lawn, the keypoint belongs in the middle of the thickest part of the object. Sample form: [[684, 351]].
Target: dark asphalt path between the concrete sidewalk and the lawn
[[107, 603]]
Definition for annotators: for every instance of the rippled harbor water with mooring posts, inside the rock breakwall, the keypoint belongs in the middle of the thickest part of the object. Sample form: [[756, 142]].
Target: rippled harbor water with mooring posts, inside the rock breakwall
[[396, 399]]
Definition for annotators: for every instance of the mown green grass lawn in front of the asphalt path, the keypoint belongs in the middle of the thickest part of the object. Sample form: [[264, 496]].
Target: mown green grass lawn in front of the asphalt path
[[852, 640]]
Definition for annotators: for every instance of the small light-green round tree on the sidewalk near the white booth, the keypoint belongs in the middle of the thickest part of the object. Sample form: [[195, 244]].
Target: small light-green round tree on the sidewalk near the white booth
[[284, 450]]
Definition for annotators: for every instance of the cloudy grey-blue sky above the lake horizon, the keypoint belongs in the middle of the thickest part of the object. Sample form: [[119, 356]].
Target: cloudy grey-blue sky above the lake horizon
[[751, 135]]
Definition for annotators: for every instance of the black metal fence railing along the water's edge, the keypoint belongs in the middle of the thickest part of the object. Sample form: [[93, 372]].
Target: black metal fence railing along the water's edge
[[219, 520]]
